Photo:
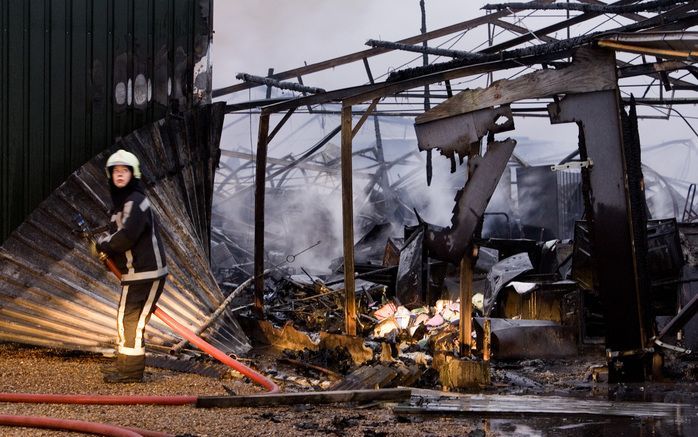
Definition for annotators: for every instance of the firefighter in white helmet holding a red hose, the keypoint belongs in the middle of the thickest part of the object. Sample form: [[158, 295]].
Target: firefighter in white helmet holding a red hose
[[134, 244]]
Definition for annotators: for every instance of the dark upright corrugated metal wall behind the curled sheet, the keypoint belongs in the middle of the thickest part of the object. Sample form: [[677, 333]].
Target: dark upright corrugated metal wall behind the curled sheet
[[75, 75]]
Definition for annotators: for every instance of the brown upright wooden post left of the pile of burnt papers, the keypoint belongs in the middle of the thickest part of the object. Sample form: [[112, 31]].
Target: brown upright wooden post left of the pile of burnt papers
[[348, 223]]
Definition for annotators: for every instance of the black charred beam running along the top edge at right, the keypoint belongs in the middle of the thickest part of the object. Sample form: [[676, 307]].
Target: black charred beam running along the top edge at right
[[650, 6]]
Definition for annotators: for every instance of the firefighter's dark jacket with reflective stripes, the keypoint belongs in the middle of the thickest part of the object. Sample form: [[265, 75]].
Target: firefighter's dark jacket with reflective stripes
[[134, 243]]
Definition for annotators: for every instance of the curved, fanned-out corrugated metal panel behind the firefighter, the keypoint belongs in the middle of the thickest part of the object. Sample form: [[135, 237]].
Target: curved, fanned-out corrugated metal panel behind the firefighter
[[54, 293]]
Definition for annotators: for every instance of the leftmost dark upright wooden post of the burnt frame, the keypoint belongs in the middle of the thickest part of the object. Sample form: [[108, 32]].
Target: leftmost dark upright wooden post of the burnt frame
[[260, 182]]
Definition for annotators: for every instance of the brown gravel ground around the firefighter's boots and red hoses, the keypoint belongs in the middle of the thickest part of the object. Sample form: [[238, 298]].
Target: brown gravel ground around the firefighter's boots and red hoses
[[36, 370]]
